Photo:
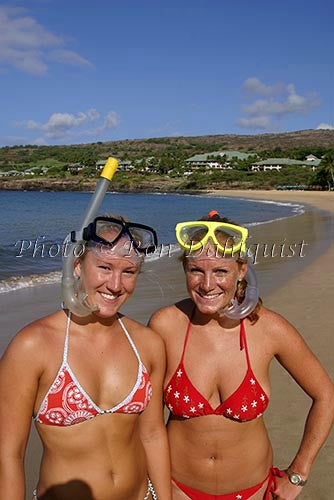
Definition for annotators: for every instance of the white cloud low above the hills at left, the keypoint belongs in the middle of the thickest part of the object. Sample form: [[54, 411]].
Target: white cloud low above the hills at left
[[66, 126]]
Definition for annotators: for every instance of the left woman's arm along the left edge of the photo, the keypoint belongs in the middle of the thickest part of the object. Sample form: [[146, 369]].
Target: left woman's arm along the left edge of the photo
[[19, 374]]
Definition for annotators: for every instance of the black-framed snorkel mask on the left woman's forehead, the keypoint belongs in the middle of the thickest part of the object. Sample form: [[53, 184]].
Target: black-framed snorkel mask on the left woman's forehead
[[108, 230]]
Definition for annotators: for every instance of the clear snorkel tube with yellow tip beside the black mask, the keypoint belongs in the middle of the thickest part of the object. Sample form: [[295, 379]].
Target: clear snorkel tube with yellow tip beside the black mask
[[74, 246]]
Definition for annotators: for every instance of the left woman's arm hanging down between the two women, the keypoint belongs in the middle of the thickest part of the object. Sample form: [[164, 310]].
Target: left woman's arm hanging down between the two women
[[152, 428]]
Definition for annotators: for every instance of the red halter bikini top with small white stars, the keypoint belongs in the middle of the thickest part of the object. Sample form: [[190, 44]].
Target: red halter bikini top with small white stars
[[248, 402]]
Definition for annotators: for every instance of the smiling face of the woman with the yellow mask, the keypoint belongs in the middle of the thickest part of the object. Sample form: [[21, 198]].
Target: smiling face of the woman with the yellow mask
[[212, 282]]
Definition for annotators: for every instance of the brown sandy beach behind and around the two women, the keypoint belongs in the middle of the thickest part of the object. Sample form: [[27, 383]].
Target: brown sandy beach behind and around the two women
[[300, 287]]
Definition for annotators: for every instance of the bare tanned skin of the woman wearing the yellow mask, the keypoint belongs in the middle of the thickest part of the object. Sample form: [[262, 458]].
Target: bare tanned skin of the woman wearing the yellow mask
[[213, 454]]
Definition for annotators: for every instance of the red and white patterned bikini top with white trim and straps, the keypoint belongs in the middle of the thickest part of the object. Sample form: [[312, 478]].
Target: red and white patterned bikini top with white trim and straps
[[67, 403]]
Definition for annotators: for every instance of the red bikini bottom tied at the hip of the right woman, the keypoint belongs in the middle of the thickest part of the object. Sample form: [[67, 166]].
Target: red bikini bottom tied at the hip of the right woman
[[238, 495]]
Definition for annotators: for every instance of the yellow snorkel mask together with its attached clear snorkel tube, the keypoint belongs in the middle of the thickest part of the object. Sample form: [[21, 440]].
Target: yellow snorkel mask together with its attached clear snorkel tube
[[229, 240]]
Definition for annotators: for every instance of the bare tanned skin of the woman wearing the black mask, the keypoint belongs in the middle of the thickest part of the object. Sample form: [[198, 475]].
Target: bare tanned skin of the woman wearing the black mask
[[111, 455]]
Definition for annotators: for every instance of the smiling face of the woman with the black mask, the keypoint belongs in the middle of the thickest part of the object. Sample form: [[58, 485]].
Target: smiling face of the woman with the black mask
[[109, 276]]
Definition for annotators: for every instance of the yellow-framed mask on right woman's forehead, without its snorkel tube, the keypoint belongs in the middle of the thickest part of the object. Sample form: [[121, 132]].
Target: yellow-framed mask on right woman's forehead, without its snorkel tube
[[228, 239]]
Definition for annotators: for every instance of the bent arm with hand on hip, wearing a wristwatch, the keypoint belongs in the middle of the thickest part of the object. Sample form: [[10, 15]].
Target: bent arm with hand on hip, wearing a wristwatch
[[295, 356]]
